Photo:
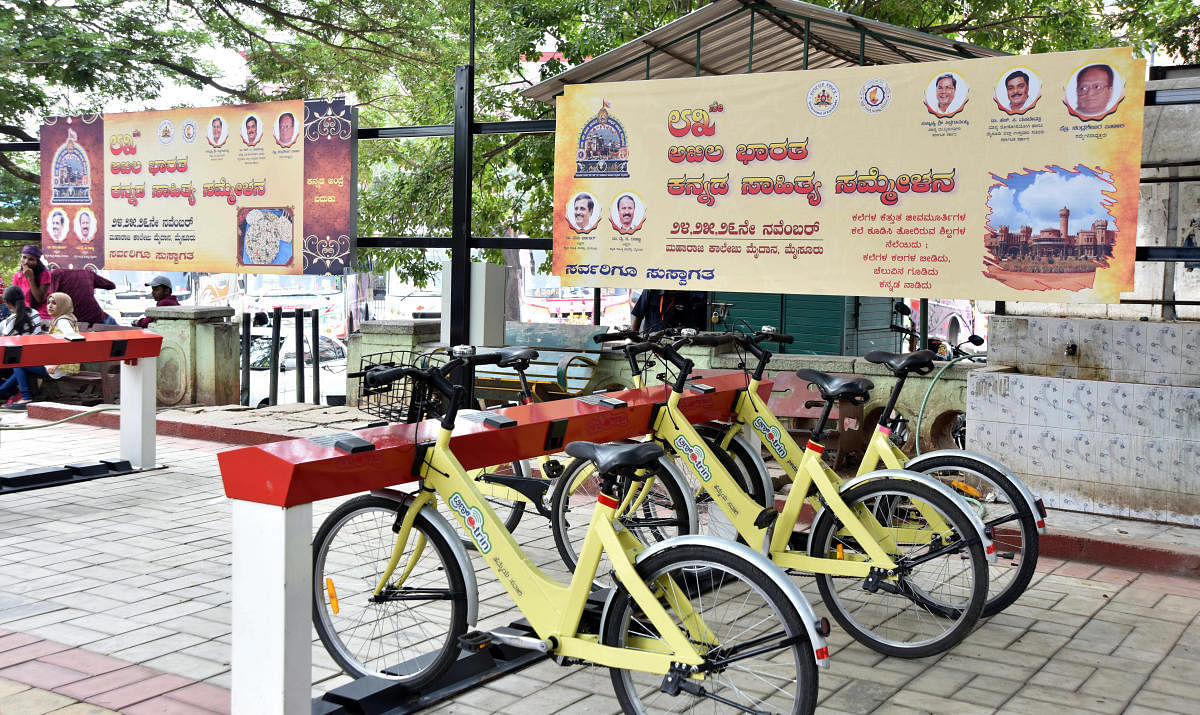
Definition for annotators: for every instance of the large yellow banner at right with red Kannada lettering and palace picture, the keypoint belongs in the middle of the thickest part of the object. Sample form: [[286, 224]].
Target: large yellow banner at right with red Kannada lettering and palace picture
[[1011, 178]]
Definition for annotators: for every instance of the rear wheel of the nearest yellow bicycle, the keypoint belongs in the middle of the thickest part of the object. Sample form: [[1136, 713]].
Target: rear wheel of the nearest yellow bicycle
[[741, 606]]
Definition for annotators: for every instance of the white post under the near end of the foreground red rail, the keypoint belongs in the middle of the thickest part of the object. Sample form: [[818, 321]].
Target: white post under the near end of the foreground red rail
[[272, 609]]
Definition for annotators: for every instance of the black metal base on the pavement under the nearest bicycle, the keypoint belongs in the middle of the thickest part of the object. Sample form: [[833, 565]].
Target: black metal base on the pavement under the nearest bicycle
[[376, 696]]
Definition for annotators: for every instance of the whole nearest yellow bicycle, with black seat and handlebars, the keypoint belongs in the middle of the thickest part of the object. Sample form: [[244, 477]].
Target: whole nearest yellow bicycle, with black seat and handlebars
[[694, 621]]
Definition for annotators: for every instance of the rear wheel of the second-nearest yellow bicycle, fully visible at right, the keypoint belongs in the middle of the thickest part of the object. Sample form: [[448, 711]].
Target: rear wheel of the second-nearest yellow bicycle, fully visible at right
[[933, 605]]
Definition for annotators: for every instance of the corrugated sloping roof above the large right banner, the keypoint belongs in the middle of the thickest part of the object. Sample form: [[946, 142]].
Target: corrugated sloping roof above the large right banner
[[779, 31]]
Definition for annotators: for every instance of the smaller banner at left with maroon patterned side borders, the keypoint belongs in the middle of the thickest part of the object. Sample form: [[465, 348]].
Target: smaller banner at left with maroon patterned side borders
[[251, 189]]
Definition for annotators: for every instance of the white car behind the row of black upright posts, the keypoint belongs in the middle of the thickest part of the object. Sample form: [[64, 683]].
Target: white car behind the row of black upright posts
[[333, 369]]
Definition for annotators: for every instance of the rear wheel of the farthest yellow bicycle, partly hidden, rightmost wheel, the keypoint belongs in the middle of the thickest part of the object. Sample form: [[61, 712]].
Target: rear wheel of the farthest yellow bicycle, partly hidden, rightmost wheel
[[1009, 518]]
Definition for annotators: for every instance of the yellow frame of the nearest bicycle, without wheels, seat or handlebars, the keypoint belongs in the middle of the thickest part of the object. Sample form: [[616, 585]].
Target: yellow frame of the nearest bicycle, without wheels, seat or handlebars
[[553, 609]]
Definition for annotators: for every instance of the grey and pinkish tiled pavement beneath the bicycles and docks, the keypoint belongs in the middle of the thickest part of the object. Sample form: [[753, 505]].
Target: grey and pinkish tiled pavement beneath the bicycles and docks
[[115, 597]]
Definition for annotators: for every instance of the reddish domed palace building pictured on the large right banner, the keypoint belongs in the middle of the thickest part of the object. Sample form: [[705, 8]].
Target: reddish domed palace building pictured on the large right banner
[[1053, 244]]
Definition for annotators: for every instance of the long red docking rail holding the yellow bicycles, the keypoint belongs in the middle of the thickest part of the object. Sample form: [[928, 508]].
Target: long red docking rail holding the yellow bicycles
[[302, 471]]
